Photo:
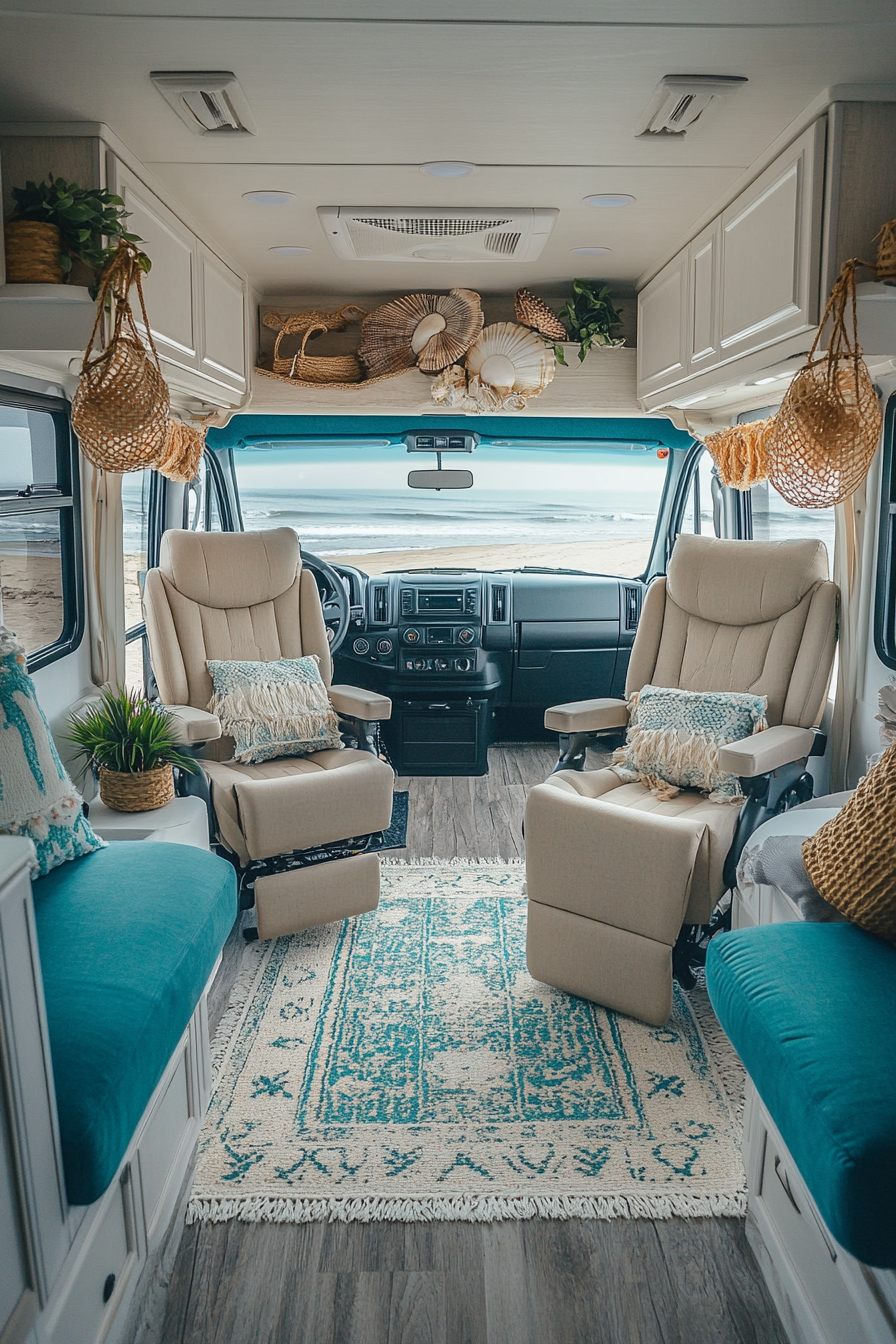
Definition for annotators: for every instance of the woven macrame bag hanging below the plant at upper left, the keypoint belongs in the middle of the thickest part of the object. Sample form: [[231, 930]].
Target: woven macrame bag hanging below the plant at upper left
[[120, 411]]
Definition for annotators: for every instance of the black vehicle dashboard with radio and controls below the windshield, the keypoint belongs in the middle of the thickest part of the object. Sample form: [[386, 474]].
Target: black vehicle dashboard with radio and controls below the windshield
[[518, 638]]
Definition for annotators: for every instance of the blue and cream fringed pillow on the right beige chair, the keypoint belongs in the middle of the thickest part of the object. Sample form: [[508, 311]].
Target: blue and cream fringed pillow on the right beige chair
[[675, 737]]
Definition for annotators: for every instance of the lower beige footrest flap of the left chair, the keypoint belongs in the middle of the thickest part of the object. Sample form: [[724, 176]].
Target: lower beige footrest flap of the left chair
[[288, 902]]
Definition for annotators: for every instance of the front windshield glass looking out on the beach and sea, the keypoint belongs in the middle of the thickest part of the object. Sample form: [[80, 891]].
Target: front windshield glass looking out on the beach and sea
[[577, 507]]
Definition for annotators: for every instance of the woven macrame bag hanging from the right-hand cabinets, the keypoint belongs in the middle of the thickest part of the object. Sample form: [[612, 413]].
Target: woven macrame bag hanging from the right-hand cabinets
[[828, 428]]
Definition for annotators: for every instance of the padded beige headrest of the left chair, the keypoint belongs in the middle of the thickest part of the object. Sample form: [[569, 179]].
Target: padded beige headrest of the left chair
[[230, 569]]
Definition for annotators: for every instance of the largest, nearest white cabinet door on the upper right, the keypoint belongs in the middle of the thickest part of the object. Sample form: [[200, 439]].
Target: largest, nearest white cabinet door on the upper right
[[772, 251]]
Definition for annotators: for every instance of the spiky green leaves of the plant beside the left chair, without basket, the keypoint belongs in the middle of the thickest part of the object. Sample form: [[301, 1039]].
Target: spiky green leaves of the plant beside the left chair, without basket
[[128, 734]]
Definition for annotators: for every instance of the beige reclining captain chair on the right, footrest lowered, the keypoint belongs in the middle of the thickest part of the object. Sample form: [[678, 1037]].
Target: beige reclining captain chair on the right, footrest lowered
[[612, 873]]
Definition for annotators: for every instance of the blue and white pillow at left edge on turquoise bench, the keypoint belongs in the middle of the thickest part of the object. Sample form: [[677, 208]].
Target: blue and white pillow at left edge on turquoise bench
[[38, 800]]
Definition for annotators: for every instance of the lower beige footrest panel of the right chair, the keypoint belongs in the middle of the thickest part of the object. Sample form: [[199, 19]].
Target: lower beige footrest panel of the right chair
[[613, 967]]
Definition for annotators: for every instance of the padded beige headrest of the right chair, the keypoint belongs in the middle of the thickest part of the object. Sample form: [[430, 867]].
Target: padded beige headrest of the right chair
[[744, 583]]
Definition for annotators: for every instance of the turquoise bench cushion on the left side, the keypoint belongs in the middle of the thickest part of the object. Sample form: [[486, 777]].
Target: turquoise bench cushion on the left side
[[128, 940]]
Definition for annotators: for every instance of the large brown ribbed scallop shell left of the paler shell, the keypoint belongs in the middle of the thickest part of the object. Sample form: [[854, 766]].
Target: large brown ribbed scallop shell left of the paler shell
[[429, 331]]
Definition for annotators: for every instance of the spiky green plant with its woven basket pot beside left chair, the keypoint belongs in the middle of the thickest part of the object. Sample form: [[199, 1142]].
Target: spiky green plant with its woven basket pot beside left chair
[[134, 747]]
